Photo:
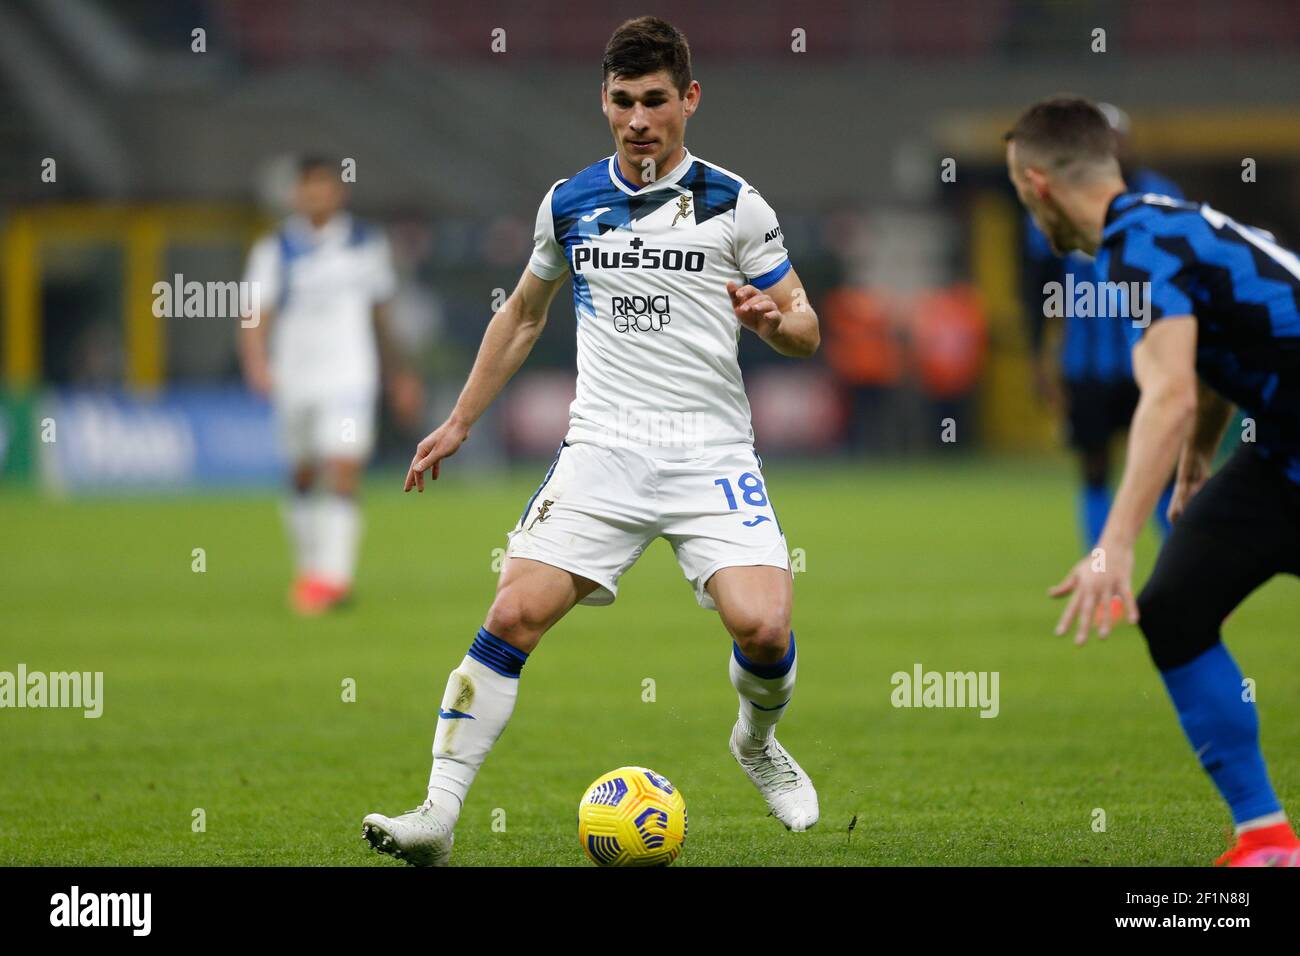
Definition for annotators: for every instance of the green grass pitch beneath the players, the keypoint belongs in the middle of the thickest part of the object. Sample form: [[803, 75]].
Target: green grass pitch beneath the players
[[216, 698]]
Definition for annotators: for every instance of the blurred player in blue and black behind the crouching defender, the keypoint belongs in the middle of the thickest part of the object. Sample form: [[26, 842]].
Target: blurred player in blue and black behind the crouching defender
[[1095, 369]]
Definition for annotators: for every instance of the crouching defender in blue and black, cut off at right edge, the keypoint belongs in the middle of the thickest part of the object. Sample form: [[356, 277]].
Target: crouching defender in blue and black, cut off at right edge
[[1214, 319]]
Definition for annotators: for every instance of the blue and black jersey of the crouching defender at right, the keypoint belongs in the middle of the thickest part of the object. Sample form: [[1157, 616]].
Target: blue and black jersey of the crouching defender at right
[[1242, 287]]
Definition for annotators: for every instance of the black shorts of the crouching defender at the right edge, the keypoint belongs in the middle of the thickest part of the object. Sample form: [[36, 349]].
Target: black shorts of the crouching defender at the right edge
[[1240, 530]]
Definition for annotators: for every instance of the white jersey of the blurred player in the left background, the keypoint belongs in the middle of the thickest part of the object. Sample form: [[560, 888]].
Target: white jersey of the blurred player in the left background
[[322, 287]]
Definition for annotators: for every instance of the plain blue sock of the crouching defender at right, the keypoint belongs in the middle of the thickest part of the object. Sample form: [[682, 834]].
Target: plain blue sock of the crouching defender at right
[[1224, 732]]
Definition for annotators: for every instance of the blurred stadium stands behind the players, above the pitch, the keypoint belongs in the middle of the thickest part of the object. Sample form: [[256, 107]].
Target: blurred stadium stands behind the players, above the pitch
[[171, 161]]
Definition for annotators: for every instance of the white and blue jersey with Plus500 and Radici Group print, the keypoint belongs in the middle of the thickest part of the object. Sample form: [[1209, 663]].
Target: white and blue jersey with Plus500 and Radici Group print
[[657, 336]]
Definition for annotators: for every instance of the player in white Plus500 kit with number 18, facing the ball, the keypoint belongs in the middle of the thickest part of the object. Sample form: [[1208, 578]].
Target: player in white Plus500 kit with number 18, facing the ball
[[671, 258]]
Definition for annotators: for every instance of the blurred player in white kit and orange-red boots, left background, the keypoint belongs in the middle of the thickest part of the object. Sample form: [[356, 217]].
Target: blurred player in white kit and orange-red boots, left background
[[317, 352]]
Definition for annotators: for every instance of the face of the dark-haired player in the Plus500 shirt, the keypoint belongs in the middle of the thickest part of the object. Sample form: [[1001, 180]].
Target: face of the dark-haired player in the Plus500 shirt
[[648, 118]]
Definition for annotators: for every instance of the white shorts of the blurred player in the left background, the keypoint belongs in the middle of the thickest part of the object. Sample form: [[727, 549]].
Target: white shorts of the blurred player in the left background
[[319, 430]]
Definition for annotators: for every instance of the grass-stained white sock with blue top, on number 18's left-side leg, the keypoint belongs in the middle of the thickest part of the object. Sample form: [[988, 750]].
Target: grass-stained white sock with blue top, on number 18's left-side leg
[[475, 711]]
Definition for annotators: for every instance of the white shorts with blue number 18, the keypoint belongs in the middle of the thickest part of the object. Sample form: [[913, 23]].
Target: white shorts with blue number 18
[[600, 508]]
